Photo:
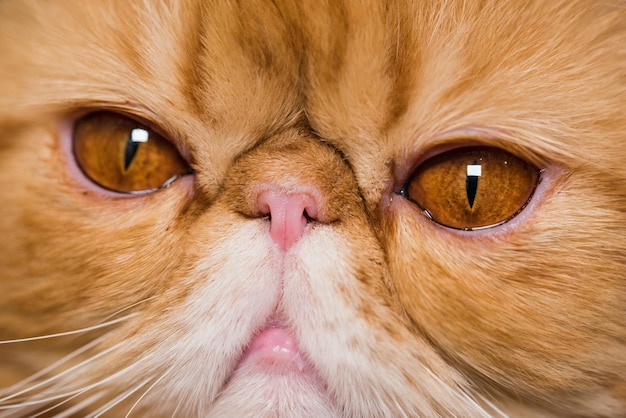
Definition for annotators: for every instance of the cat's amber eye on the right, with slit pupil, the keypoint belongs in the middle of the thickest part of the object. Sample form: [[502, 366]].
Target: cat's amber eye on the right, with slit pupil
[[471, 188]]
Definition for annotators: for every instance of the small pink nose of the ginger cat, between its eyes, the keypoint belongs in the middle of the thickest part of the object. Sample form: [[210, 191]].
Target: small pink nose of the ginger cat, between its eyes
[[289, 214]]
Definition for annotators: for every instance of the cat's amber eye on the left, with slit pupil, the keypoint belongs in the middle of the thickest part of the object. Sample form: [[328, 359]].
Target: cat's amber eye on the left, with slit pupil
[[120, 154]]
